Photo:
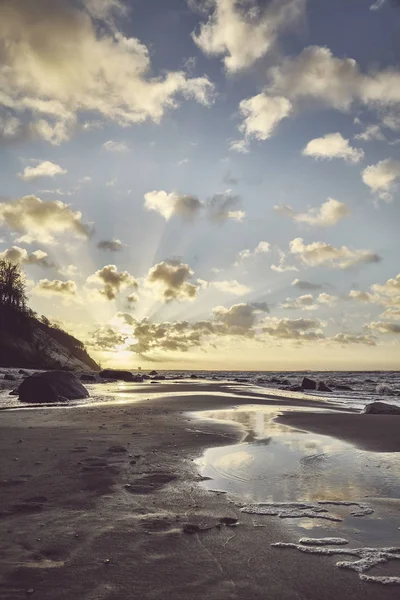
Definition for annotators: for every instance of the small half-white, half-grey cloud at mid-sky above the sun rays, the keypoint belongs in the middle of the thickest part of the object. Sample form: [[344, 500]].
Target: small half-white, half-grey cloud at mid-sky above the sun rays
[[169, 205]]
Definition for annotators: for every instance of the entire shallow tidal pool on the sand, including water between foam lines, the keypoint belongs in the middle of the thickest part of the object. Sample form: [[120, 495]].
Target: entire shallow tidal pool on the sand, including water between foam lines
[[275, 463]]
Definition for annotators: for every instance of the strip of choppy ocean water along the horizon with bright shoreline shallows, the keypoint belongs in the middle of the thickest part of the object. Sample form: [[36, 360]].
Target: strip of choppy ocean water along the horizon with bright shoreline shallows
[[365, 386]]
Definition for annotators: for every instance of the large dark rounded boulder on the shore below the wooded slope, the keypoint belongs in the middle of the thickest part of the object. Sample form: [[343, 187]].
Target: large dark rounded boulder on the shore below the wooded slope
[[51, 386]]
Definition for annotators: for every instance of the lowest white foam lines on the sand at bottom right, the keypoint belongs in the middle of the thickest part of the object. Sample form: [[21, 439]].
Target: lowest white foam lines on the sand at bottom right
[[367, 557]]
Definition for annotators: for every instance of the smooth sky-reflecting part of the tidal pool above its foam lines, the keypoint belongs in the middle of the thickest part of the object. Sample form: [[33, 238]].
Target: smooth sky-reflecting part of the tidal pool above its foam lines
[[276, 463]]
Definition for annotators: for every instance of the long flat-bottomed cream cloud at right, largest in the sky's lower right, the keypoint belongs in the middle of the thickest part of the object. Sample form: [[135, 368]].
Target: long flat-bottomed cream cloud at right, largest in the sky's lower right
[[323, 254]]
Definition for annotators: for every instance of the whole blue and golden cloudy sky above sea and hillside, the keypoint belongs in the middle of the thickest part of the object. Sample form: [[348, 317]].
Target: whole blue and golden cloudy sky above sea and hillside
[[206, 184]]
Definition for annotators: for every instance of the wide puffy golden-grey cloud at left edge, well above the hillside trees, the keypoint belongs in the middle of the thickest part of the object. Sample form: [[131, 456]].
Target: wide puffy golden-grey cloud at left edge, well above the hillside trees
[[41, 220]]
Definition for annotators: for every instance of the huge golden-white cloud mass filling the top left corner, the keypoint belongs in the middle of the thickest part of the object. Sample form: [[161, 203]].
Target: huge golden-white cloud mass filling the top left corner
[[60, 61]]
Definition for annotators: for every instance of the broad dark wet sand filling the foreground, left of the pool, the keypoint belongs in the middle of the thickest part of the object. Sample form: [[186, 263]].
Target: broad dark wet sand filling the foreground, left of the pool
[[95, 502]]
